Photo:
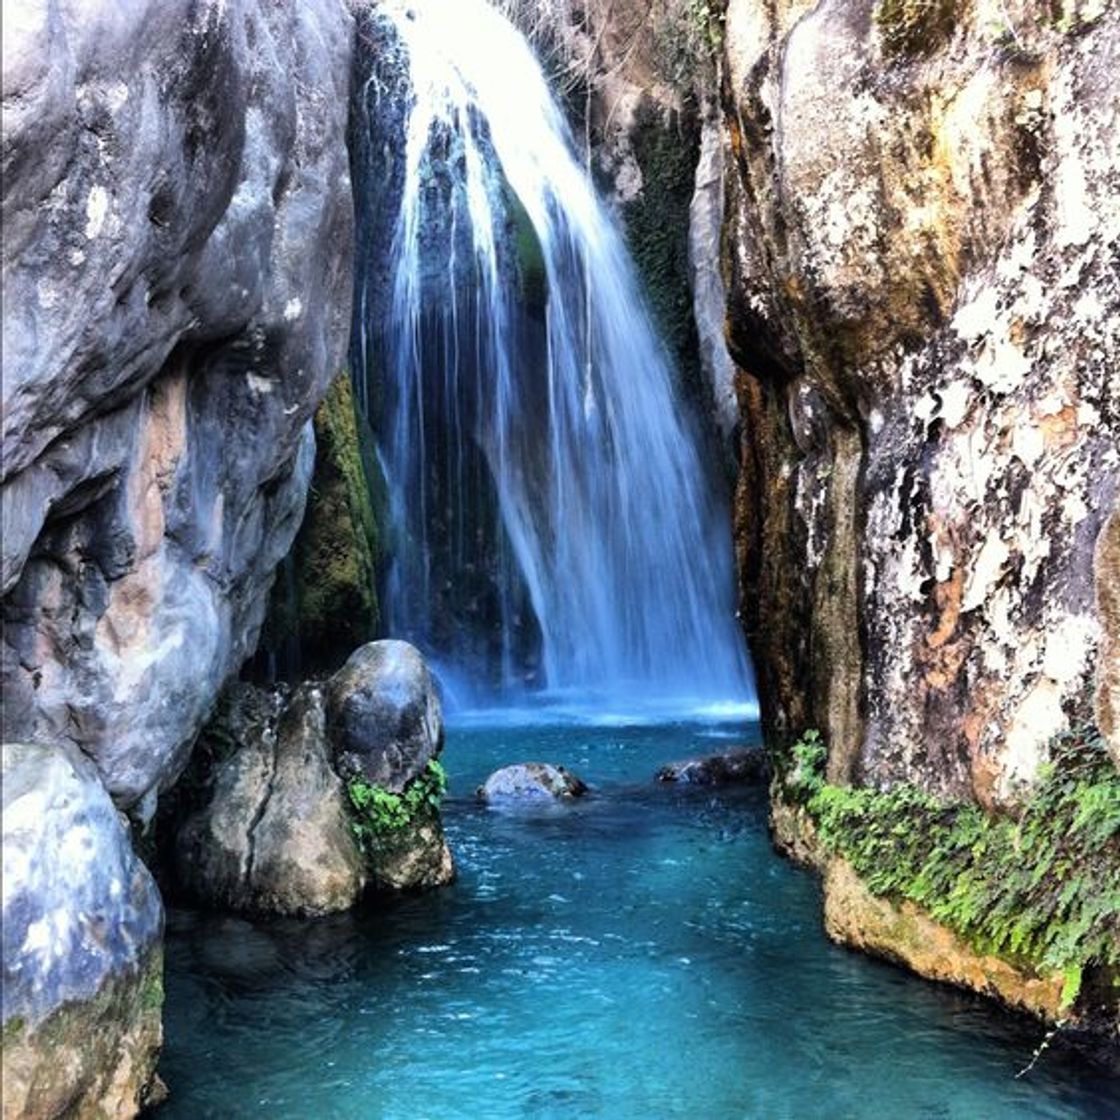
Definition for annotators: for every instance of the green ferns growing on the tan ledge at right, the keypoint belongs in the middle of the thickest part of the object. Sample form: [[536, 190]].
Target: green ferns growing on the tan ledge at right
[[1042, 890]]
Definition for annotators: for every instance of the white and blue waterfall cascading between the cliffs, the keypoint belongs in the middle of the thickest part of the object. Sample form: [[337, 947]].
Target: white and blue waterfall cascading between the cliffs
[[547, 491]]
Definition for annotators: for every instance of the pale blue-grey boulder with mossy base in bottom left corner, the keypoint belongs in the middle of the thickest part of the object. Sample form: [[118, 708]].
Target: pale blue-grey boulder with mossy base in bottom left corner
[[82, 956]]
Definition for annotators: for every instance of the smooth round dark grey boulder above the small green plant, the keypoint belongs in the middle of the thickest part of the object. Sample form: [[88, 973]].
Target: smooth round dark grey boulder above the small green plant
[[386, 720]]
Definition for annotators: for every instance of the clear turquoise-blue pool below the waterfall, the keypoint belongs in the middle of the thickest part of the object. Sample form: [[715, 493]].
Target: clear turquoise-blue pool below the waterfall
[[641, 955]]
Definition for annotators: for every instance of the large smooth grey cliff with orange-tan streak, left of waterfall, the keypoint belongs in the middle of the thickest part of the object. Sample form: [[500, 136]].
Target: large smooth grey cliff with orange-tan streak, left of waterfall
[[176, 293]]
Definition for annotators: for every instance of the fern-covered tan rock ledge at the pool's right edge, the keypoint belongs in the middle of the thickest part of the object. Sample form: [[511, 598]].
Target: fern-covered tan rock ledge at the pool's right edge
[[1025, 910]]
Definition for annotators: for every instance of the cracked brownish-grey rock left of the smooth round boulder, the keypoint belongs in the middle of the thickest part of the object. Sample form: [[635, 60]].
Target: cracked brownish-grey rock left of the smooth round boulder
[[274, 836]]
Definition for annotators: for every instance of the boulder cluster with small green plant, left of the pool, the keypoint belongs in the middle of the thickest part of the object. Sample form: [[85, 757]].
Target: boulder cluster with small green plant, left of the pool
[[279, 816]]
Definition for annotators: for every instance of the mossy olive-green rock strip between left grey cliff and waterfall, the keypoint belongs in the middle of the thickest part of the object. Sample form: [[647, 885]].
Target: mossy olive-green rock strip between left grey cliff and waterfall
[[325, 601]]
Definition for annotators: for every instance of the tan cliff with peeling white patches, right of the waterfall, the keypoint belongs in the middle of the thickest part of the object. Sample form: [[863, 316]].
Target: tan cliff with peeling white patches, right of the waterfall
[[923, 223]]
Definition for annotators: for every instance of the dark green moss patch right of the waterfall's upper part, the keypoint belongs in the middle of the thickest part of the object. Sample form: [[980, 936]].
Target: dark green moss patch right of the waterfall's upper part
[[657, 225]]
